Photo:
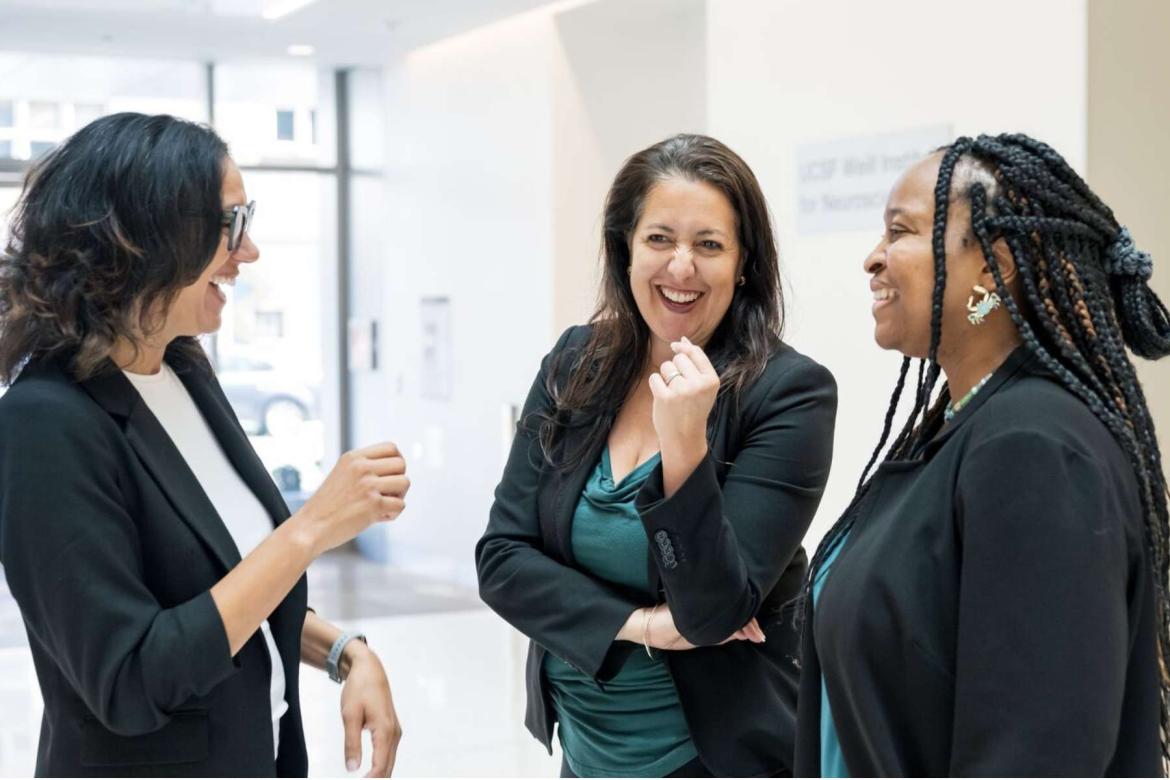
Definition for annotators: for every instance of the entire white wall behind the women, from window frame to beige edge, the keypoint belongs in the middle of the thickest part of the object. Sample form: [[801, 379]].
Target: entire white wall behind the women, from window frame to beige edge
[[504, 141]]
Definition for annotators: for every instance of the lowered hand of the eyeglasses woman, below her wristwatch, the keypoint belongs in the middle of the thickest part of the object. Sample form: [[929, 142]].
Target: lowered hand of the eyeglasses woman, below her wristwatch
[[367, 705]]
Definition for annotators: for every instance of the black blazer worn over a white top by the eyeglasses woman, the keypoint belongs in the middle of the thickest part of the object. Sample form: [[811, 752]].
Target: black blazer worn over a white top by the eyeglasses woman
[[111, 548]]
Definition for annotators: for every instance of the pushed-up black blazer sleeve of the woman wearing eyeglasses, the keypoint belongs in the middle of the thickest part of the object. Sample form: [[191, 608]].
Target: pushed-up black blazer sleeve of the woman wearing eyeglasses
[[72, 555]]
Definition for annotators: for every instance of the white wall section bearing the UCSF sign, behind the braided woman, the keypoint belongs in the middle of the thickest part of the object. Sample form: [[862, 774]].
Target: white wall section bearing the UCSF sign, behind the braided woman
[[784, 73]]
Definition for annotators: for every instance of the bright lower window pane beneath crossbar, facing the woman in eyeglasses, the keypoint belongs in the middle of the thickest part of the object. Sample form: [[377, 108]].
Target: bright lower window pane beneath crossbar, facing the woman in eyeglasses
[[270, 351]]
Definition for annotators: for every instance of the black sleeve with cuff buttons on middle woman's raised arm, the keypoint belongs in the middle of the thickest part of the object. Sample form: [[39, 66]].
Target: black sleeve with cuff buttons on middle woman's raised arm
[[721, 551]]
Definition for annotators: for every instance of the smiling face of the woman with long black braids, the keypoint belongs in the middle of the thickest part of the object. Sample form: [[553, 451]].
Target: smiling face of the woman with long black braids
[[903, 267]]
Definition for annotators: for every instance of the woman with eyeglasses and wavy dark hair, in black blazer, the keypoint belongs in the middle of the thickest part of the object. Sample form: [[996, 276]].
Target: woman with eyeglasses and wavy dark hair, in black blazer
[[159, 572]]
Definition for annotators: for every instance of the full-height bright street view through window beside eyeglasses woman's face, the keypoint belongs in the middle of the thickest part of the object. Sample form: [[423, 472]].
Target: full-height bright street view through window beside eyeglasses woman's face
[[271, 349]]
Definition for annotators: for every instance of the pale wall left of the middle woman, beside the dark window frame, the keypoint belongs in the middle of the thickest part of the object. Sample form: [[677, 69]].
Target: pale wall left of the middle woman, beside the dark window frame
[[503, 146]]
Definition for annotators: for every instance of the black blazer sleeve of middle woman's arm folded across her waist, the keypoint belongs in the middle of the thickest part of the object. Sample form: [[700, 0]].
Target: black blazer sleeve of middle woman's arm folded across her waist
[[566, 611]]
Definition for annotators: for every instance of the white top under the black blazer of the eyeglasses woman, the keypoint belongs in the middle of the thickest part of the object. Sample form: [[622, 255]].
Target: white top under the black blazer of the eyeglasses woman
[[238, 507]]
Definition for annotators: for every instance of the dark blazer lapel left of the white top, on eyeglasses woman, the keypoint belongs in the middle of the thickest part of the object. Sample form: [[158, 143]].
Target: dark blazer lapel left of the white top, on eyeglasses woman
[[115, 394]]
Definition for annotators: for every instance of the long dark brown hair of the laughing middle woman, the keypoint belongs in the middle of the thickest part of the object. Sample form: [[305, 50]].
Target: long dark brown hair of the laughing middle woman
[[604, 372]]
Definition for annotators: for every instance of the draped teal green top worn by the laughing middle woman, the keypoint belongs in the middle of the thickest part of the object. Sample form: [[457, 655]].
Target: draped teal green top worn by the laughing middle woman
[[634, 727]]
